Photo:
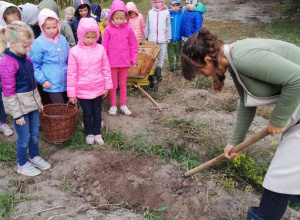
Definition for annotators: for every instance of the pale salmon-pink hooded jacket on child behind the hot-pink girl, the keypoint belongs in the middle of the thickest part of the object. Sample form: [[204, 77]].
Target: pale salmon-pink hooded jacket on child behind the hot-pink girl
[[137, 23]]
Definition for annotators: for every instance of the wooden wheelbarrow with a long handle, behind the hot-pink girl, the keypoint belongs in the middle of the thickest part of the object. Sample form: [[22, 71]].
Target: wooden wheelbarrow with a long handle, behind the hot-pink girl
[[143, 73]]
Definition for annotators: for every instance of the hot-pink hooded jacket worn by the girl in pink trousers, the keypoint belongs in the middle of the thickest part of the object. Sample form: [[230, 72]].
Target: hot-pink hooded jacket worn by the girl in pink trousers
[[120, 42]]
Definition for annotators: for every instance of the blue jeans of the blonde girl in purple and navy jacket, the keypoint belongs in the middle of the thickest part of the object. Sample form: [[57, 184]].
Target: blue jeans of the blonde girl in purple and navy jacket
[[28, 137]]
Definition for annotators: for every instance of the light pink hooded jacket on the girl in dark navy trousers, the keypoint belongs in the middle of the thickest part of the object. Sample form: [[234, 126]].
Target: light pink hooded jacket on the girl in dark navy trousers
[[88, 74]]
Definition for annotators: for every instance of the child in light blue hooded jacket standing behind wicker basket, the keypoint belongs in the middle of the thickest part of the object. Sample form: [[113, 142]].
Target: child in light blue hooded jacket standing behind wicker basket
[[49, 54]]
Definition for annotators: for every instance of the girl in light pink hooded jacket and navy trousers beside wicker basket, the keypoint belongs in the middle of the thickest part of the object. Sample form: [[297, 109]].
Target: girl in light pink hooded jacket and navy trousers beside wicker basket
[[89, 77]]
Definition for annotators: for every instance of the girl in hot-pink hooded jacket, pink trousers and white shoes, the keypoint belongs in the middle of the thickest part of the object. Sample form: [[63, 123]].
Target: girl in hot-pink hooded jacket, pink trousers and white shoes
[[122, 49]]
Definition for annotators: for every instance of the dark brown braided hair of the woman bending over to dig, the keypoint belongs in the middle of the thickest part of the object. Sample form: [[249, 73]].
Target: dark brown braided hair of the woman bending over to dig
[[196, 48]]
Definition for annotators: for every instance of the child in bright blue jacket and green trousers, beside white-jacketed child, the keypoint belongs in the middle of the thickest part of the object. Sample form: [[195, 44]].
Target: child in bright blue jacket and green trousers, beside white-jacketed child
[[174, 47]]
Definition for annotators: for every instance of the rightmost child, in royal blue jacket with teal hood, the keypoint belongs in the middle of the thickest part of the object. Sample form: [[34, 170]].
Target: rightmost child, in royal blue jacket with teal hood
[[192, 19]]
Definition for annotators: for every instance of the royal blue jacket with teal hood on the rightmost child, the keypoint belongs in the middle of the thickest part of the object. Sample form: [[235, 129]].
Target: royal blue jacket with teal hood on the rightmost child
[[192, 20]]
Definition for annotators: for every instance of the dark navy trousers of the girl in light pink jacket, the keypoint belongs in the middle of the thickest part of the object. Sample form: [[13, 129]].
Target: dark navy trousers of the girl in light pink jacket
[[91, 115]]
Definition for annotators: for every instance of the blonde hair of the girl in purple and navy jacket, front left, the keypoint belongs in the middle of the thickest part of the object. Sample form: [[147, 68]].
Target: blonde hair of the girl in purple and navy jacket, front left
[[17, 31]]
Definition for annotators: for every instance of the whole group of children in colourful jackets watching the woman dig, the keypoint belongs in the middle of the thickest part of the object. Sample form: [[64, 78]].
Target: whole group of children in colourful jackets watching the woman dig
[[43, 50]]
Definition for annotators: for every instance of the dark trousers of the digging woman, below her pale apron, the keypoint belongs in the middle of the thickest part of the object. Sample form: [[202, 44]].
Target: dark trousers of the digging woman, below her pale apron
[[273, 205]]
